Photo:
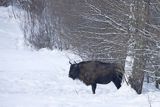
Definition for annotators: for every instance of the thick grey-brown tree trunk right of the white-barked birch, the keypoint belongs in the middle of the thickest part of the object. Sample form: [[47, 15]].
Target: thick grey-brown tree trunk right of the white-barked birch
[[138, 23]]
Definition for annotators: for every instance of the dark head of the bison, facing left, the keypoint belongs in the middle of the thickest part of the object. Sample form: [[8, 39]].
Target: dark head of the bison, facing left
[[74, 71]]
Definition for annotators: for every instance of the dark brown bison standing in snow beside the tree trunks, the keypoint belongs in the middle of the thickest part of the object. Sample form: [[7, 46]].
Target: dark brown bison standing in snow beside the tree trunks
[[93, 72]]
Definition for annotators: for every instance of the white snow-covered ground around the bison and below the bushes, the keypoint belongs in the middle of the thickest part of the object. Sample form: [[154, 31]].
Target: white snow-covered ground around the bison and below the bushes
[[40, 78]]
